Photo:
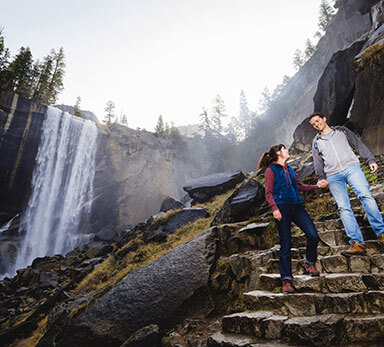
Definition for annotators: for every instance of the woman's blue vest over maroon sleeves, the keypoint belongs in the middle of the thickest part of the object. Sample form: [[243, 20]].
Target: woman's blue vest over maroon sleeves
[[285, 189]]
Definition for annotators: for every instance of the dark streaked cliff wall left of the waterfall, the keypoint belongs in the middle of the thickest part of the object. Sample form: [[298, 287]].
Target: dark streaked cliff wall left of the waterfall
[[20, 129]]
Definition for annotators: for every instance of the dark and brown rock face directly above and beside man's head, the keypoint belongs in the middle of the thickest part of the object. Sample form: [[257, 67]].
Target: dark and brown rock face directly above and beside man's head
[[349, 90]]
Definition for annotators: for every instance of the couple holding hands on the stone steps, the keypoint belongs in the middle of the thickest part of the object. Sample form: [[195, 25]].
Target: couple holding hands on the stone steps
[[336, 165]]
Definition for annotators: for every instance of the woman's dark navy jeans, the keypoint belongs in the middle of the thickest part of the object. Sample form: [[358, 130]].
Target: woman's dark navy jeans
[[295, 213]]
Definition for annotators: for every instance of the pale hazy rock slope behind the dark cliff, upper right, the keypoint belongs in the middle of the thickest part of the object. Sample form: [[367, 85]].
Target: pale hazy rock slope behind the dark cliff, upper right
[[350, 22]]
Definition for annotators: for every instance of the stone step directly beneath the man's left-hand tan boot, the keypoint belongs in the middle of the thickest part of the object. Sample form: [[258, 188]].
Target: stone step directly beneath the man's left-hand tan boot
[[373, 263]]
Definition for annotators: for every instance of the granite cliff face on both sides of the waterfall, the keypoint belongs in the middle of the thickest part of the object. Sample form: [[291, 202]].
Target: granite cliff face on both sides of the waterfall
[[135, 170]]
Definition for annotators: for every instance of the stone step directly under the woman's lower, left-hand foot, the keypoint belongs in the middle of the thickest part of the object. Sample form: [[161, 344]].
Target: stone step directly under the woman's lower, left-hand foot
[[309, 304]]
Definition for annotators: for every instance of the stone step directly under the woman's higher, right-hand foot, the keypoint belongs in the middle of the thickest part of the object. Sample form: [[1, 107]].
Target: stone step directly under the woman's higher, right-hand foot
[[326, 283]]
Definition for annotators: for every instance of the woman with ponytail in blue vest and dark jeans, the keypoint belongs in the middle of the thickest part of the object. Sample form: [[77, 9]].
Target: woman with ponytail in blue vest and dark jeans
[[282, 187]]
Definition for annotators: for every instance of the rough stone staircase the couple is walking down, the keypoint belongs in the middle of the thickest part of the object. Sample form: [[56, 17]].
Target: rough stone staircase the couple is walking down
[[344, 305]]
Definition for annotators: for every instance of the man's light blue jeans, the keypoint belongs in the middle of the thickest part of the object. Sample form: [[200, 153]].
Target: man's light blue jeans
[[355, 177]]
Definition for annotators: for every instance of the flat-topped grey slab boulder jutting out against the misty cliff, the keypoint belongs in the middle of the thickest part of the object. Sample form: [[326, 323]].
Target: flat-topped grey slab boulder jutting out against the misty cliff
[[202, 189]]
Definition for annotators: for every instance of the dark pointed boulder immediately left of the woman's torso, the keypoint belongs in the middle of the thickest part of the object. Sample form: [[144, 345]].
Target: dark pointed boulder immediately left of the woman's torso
[[242, 204]]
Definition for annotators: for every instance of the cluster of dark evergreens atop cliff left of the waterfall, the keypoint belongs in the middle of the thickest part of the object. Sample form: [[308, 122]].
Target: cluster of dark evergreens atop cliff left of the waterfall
[[41, 81]]
